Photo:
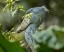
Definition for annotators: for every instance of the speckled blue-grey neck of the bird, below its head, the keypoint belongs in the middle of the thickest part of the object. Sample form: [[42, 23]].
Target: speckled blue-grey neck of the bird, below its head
[[29, 32]]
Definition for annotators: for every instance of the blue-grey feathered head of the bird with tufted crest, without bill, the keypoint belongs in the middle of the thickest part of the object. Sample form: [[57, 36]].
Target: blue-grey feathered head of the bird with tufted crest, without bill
[[37, 10]]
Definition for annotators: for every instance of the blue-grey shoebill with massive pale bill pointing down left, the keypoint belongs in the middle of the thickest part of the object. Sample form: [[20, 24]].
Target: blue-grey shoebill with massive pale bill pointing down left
[[32, 20]]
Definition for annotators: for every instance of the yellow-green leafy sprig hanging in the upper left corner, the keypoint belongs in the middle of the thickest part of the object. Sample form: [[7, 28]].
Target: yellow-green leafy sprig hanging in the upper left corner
[[10, 5]]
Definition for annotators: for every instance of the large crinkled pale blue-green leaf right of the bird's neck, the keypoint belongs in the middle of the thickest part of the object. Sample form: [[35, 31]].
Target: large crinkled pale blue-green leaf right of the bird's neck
[[52, 37]]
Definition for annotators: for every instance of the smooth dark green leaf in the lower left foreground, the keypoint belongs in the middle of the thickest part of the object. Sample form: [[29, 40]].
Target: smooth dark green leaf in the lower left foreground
[[8, 46]]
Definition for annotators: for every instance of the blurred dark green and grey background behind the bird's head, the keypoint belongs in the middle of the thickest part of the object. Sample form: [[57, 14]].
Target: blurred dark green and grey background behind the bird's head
[[55, 16]]
